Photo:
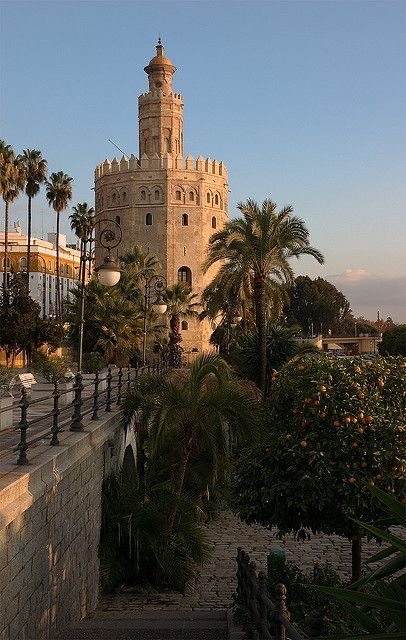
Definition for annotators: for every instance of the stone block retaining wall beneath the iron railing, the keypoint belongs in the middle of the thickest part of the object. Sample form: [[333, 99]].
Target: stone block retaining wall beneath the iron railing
[[50, 514]]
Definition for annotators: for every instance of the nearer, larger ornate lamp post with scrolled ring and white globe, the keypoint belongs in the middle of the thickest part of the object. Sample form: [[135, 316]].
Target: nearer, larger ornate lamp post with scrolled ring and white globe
[[108, 273]]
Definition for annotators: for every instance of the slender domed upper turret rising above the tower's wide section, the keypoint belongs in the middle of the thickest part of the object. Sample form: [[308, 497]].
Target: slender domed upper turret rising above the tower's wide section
[[160, 111]]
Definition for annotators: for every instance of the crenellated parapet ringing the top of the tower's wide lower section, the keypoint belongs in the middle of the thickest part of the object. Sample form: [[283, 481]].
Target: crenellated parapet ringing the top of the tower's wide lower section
[[166, 161]]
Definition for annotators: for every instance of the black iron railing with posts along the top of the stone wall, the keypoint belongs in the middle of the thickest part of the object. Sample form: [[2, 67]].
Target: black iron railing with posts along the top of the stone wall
[[89, 398]]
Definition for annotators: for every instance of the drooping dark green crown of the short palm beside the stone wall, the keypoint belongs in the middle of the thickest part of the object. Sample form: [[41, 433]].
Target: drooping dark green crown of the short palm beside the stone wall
[[197, 409]]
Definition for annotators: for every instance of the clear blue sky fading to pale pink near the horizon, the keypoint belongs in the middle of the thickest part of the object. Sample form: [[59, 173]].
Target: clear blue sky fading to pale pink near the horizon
[[304, 102]]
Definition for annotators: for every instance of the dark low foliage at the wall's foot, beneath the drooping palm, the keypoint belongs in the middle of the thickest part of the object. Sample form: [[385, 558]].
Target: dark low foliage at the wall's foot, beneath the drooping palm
[[139, 546]]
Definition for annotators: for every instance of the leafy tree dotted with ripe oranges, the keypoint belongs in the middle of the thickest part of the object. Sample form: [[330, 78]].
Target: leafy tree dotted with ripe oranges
[[331, 427]]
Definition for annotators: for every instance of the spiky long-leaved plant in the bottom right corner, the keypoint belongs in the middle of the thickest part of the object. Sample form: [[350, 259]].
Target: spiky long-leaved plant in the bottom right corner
[[377, 601]]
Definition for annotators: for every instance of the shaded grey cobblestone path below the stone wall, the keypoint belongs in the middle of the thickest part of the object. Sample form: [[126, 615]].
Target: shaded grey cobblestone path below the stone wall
[[216, 583]]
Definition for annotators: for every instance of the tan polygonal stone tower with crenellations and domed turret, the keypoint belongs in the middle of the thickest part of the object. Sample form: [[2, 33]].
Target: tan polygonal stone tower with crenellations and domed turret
[[166, 204]]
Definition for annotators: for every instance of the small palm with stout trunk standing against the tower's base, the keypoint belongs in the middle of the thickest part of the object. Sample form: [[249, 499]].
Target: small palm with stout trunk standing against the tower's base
[[181, 304]]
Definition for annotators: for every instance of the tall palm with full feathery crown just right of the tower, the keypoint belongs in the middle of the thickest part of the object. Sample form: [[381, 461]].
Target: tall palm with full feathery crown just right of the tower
[[260, 244]]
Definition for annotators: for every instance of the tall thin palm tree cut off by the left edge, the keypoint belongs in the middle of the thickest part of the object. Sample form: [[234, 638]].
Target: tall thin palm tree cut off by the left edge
[[11, 182]]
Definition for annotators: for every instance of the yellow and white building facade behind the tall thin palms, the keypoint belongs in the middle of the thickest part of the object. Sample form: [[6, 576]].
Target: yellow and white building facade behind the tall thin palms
[[42, 266]]
